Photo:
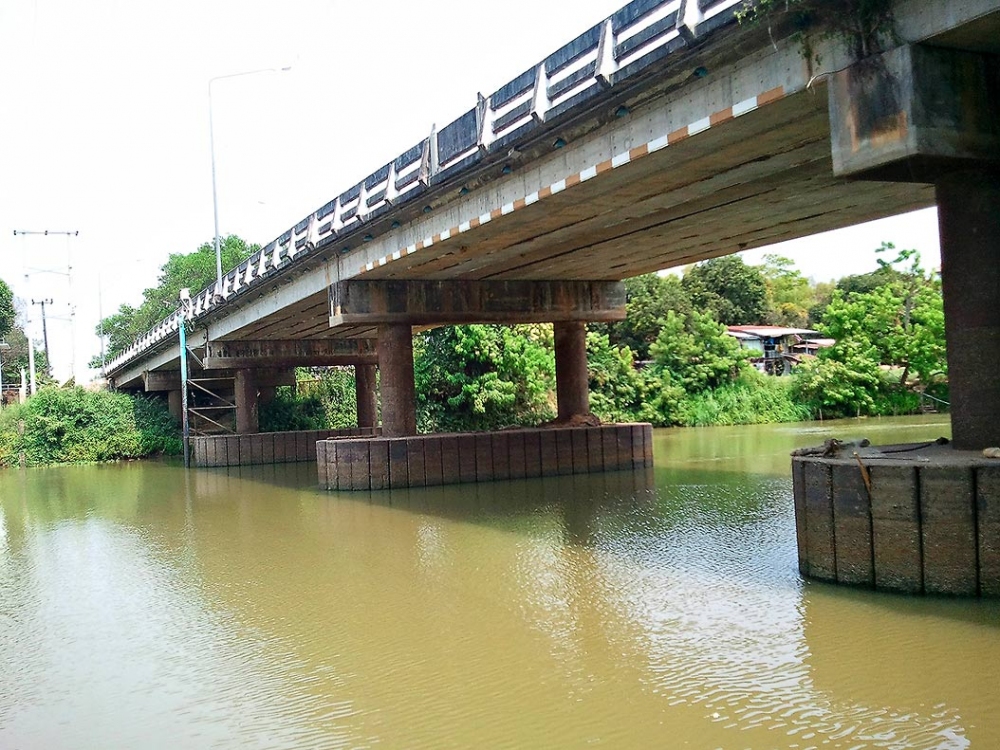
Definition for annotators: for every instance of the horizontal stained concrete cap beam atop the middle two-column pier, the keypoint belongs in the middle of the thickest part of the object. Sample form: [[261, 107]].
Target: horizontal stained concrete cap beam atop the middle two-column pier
[[456, 301]]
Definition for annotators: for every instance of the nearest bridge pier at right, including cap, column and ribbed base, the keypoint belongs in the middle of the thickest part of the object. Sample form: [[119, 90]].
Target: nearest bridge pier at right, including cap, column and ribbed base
[[929, 524]]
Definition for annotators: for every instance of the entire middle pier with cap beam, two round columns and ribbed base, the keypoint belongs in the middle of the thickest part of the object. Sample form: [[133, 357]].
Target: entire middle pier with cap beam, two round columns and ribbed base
[[401, 458]]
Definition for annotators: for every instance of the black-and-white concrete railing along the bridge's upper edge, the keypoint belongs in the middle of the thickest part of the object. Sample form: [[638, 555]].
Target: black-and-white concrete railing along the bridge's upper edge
[[636, 36]]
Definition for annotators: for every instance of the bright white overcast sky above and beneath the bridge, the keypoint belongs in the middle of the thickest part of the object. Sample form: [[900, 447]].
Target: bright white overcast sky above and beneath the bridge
[[104, 127]]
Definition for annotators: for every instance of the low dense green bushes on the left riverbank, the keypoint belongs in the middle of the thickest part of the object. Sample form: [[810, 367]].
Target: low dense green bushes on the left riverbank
[[70, 425]]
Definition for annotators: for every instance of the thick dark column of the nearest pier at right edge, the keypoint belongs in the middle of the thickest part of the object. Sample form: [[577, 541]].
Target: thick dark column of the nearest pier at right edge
[[969, 225]]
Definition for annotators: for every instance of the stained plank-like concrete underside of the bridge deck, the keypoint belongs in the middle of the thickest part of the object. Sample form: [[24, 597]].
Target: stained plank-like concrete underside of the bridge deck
[[736, 186]]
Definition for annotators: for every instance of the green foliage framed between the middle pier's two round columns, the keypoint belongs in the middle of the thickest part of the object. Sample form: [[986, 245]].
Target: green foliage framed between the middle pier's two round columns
[[483, 377]]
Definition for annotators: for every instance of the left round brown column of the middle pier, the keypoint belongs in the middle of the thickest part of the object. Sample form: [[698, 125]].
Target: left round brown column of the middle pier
[[399, 396]]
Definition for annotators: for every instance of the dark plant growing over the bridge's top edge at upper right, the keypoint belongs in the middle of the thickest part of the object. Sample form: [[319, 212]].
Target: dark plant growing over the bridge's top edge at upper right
[[865, 26]]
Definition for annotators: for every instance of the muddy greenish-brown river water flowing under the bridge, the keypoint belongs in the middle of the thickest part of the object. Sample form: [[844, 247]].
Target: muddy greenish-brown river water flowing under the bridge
[[144, 608]]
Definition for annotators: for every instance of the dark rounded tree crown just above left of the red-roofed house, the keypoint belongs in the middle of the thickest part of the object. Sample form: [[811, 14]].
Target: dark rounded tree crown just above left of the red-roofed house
[[733, 292]]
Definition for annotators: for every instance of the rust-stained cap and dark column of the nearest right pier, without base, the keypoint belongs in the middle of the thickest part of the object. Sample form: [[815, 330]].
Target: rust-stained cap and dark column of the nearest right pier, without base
[[921, 114]]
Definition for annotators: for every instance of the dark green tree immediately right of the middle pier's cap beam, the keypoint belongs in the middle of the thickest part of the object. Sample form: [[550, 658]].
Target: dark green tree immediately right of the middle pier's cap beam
[[648, 298]]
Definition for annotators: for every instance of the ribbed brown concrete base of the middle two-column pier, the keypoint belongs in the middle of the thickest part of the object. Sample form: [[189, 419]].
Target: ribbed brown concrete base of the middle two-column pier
[[429, 460]]
